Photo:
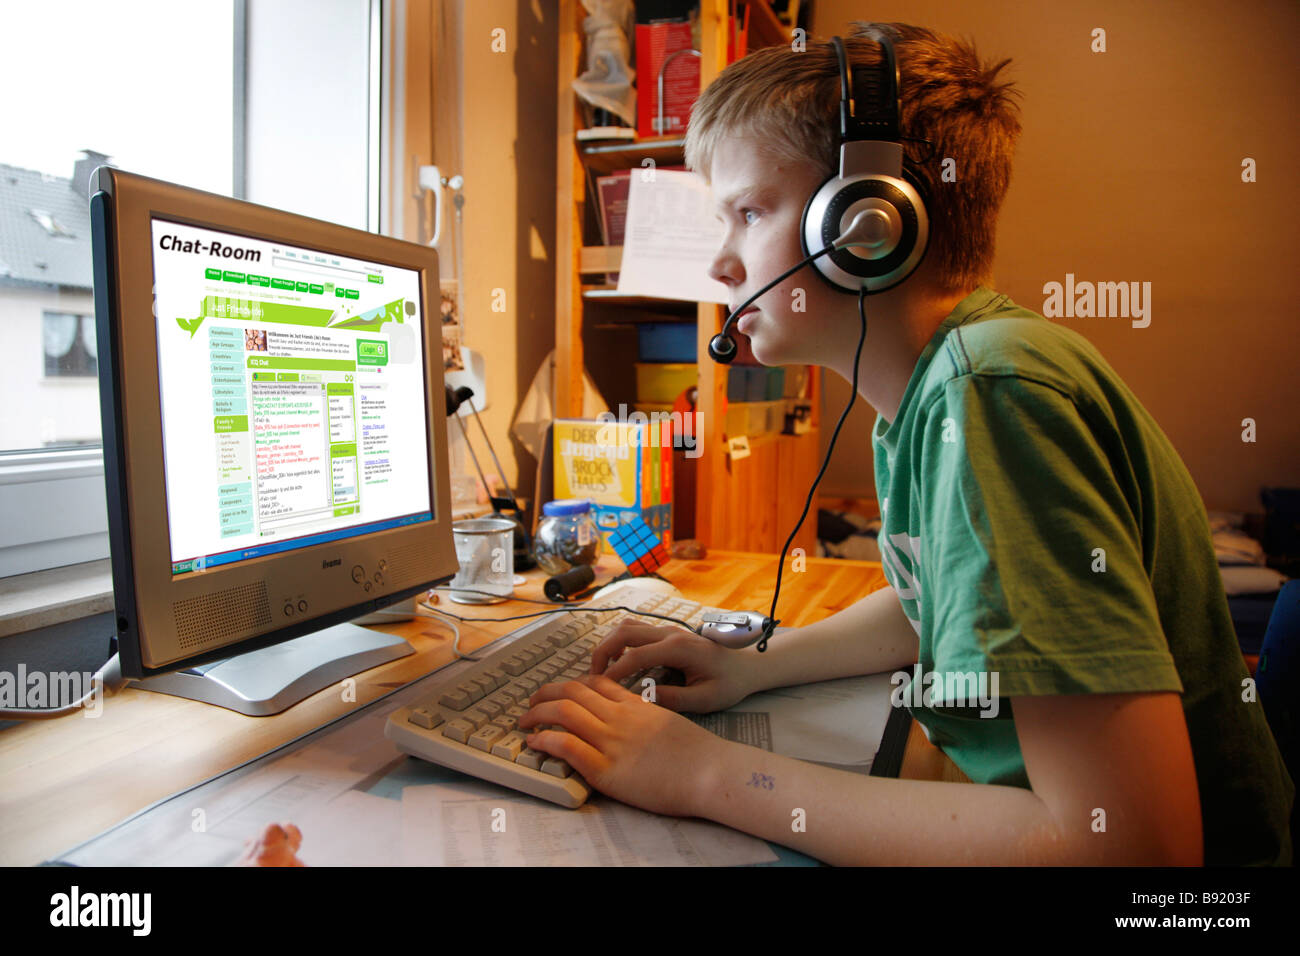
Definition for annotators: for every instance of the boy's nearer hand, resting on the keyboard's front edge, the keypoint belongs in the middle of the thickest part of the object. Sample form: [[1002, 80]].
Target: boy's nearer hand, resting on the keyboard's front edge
[[622, 745]]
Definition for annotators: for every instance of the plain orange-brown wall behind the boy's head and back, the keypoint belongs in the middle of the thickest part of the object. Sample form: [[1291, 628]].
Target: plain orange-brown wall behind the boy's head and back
[[1130, 170]]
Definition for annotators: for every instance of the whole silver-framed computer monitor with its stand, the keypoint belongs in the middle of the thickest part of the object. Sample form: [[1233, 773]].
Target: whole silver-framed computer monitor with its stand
[[275, 440]]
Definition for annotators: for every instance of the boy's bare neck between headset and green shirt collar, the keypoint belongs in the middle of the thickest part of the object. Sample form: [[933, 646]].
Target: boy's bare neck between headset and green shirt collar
[[900, 325]]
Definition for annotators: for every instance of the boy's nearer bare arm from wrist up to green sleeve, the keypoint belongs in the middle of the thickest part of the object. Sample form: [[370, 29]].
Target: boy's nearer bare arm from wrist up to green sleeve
[[1113, 785]]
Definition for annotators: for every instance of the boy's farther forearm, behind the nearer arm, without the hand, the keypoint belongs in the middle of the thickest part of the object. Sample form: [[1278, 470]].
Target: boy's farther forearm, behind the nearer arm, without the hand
[[869, 637]]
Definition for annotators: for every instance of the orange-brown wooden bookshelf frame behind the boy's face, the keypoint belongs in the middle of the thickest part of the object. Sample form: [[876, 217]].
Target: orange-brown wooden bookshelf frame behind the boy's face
[[747, 504]]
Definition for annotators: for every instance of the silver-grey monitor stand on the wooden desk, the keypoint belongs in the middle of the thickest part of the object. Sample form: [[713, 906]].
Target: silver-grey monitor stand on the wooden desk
[[272, 680]]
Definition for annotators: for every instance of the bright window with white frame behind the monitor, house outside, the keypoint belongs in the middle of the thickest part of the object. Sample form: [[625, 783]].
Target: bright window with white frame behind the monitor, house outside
[[271, 102]]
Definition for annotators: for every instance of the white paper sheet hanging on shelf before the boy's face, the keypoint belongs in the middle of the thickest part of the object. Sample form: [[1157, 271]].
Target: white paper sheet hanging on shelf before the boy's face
[[671, 239]]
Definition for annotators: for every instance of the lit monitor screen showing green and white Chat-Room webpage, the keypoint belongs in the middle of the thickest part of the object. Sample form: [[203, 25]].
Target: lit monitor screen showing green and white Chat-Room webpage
[[293, 396]]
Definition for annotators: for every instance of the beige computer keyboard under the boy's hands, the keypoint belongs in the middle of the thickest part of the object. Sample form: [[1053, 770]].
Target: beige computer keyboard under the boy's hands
[[470, 721]]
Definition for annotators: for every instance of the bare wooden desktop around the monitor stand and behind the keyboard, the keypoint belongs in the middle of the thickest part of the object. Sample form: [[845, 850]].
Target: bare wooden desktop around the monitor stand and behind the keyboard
[[64, 781]]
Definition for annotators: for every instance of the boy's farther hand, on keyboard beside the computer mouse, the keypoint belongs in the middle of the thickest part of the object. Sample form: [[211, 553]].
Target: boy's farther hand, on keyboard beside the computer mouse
[[717, 677]]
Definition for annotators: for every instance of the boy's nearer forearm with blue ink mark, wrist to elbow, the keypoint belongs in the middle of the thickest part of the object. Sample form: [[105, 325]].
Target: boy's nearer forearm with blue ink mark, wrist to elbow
[[847, 819]]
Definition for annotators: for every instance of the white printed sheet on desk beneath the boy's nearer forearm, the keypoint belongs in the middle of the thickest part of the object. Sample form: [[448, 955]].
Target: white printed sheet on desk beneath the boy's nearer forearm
[[473, 824]]
